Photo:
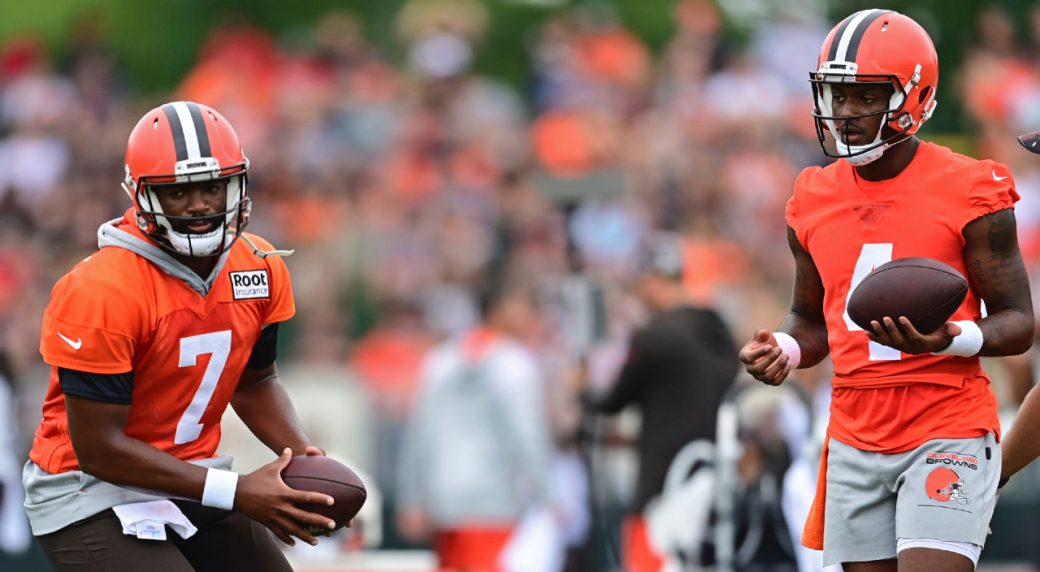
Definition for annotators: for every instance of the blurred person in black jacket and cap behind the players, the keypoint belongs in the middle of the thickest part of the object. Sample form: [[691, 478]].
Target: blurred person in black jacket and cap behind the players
[[679, 370]]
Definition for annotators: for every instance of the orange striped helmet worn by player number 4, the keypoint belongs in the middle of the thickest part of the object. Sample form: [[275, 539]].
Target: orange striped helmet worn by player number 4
[[878, 47]]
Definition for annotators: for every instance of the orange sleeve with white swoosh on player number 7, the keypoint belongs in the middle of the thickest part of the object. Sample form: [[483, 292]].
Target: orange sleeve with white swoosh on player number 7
[[90, 327]]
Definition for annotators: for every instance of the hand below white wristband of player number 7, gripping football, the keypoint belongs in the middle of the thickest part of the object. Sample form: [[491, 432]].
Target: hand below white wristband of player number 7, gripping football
[[265, 498]]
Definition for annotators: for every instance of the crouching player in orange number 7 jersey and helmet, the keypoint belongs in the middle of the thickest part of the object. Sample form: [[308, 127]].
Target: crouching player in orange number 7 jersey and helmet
[[150, 340]]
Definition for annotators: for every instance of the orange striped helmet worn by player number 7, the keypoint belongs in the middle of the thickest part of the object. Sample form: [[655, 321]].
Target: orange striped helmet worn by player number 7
[[186, 143]]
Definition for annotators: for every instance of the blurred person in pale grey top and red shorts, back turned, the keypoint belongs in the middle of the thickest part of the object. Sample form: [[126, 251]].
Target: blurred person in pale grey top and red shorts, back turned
[[478, 451]]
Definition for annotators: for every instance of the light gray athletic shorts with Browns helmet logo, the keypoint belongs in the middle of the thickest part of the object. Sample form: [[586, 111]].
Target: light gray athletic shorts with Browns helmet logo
[[944, 490]]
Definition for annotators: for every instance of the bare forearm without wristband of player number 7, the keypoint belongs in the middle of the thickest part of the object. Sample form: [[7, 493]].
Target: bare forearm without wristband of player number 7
[[267, 410]]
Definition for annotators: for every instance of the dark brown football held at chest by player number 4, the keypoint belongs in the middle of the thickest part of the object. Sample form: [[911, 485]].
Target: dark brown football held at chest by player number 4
[[927, 292]]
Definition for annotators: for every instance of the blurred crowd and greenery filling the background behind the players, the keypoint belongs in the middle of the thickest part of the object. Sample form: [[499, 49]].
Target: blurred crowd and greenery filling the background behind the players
[[409, 149]]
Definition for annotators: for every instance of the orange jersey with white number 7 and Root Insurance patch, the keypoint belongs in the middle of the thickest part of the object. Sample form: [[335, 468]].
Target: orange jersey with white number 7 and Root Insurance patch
[[118, 313]]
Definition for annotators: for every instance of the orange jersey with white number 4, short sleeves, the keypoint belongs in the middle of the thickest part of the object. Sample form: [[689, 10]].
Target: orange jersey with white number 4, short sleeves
[[886, 401]]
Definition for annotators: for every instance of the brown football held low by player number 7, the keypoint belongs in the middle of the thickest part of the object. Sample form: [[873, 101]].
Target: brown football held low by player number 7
[[327, 476]]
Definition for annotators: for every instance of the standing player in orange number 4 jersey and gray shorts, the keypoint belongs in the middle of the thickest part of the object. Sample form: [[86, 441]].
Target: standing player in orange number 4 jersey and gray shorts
[[905, 404]]
